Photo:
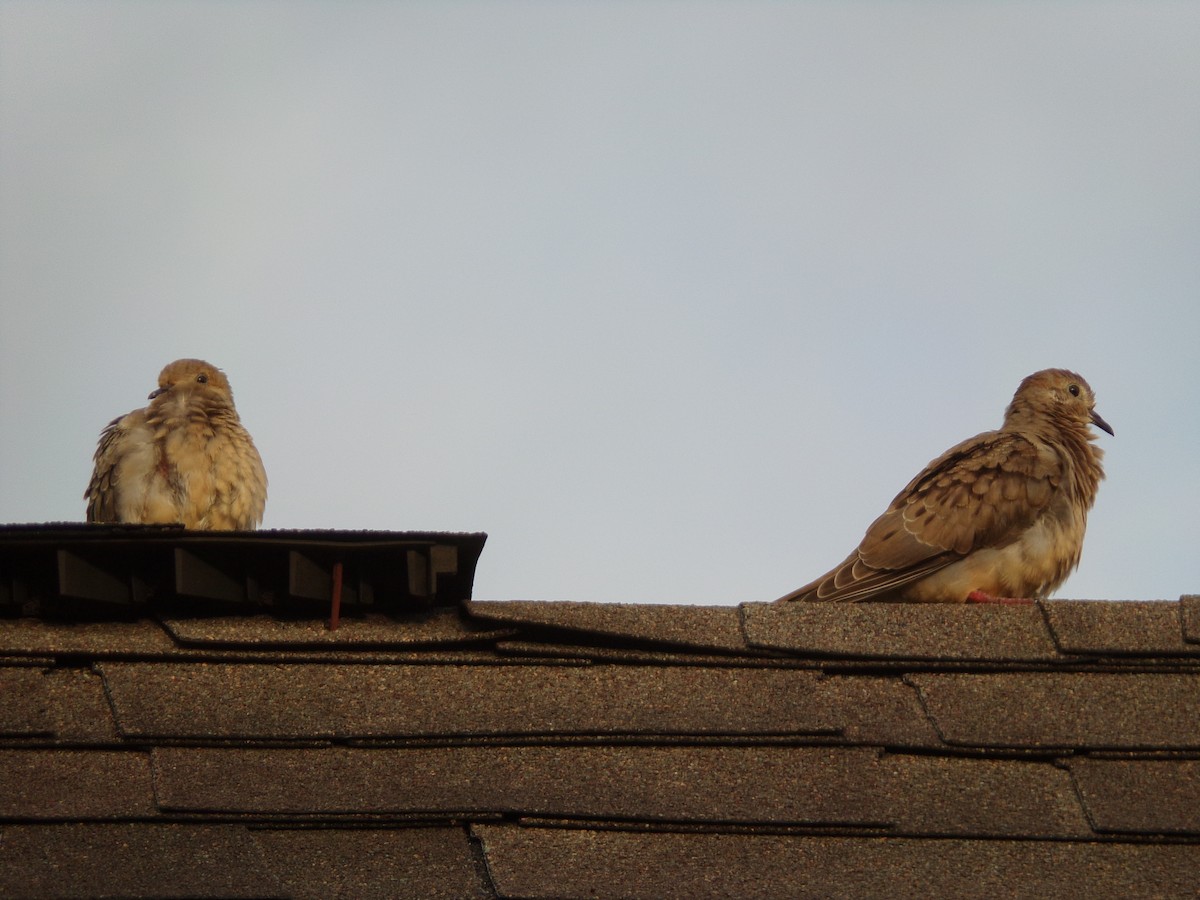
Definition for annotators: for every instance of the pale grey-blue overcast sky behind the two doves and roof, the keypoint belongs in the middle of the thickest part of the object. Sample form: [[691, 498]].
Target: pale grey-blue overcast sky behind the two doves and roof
[[668, 298]]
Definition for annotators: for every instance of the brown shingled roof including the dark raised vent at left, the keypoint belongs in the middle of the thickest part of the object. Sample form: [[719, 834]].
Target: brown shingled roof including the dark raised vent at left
[[166, 745]]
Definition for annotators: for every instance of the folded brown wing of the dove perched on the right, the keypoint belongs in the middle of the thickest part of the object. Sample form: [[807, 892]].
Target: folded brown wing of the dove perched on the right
[[983, 493]]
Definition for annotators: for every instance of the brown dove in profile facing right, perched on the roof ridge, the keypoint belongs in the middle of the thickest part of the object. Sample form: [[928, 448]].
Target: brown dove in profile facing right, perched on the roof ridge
[[999, 518]]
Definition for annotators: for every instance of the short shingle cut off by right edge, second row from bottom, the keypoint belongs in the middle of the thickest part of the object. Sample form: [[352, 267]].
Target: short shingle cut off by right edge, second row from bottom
[[1141, 796]]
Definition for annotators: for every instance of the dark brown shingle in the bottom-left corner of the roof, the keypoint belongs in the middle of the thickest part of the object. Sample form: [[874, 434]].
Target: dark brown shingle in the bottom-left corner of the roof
[[133, 861]]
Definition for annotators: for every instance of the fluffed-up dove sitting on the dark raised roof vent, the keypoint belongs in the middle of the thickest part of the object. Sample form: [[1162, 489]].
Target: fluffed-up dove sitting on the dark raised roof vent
[[185, 459]]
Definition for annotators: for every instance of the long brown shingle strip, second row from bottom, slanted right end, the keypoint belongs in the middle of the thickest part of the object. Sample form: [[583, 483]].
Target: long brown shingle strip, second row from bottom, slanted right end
[[693, 785]]
